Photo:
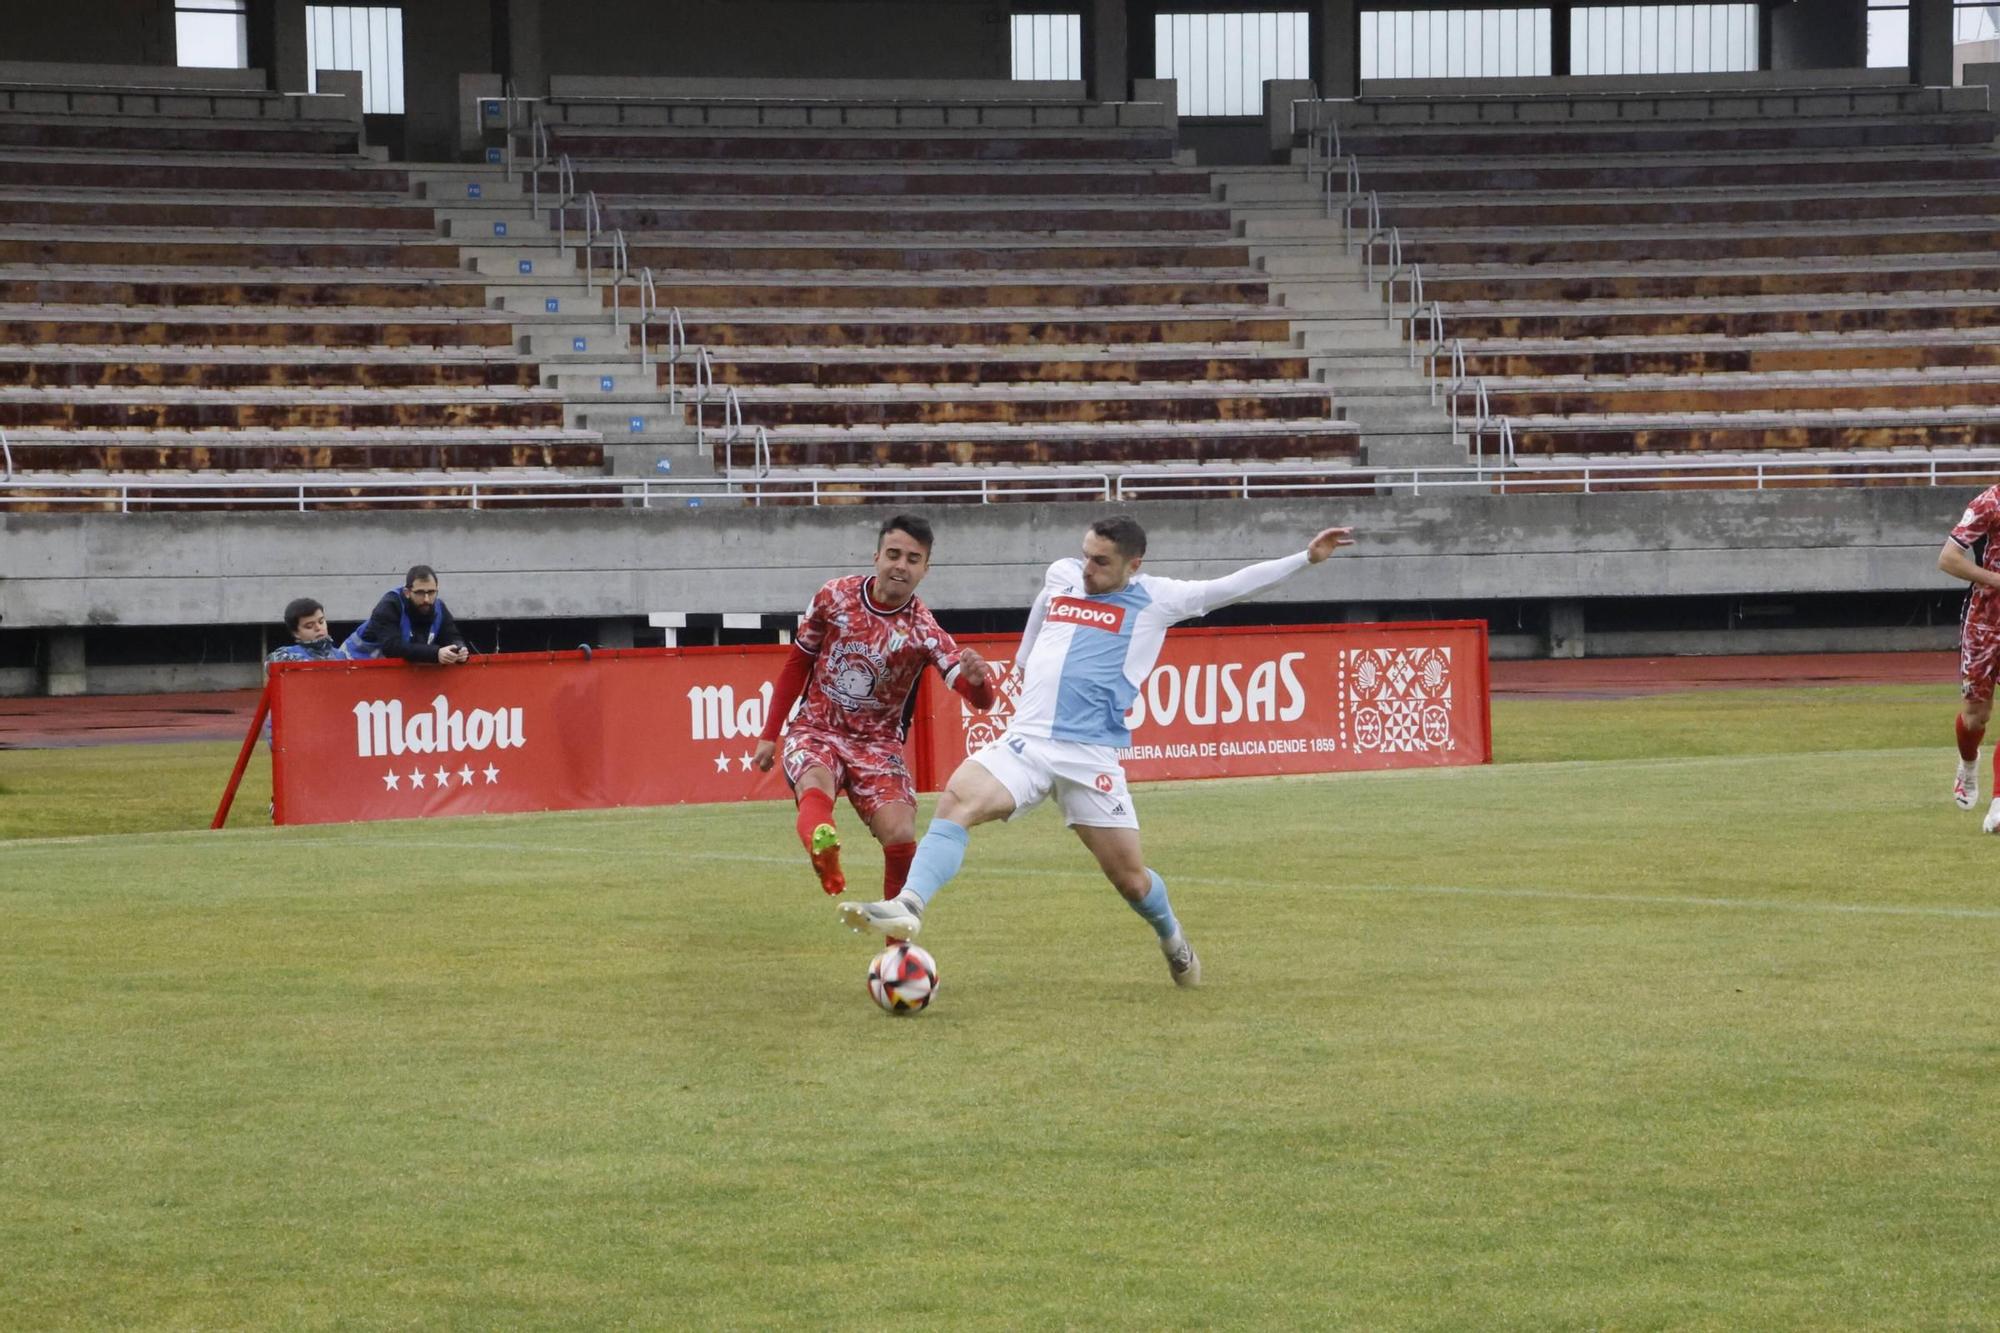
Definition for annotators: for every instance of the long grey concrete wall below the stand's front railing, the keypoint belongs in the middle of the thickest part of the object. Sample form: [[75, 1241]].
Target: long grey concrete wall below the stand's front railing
[[169, 569]]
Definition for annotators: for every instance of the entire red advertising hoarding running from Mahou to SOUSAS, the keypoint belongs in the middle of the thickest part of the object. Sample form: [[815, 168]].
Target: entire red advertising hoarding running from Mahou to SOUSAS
[[559, 732]]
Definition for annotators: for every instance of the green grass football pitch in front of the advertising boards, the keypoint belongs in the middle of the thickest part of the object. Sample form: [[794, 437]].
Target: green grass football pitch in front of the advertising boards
[[1679, 1018]]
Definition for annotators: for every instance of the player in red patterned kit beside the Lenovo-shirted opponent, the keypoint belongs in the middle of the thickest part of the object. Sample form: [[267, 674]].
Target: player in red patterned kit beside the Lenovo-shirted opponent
[[857, 657]]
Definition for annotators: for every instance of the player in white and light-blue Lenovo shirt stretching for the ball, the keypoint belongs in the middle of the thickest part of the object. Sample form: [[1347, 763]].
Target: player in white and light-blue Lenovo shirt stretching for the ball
[[1093, 637]]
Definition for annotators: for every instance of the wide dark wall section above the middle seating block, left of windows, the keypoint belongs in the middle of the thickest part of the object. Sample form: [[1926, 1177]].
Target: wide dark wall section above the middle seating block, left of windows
[[781, 39]]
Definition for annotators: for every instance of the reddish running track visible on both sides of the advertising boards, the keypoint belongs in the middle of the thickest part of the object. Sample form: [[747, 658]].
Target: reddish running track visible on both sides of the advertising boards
[[151, 720]]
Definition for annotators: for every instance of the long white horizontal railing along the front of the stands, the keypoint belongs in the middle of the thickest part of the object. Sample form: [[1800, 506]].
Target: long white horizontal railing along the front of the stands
[[991, 485]]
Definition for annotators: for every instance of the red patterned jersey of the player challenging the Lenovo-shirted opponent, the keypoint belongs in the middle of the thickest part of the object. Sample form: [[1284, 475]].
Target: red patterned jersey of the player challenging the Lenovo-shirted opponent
[[867, 661]]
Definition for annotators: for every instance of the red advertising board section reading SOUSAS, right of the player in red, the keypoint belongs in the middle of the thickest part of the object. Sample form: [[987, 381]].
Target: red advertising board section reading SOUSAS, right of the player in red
[[1261, 702]]
